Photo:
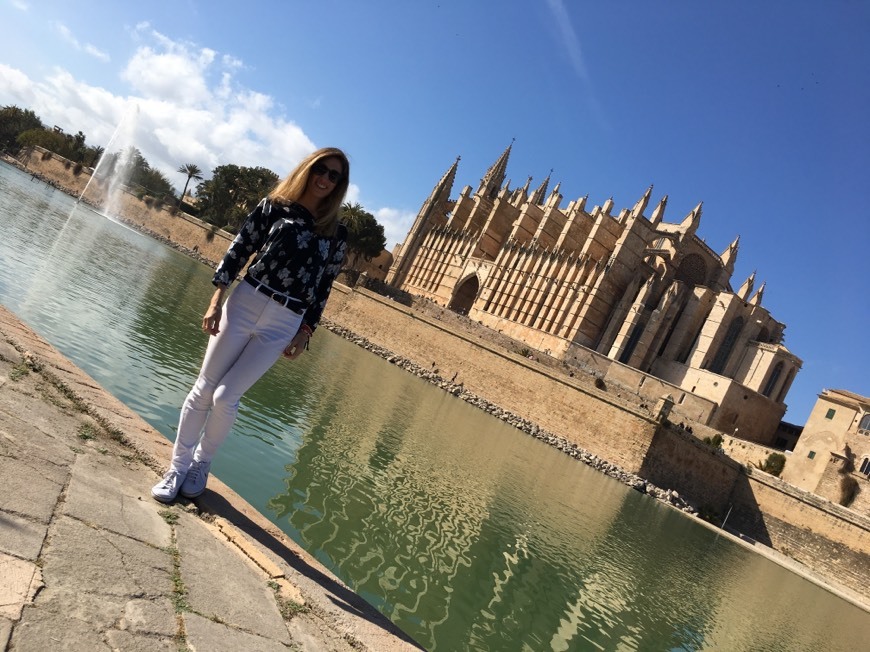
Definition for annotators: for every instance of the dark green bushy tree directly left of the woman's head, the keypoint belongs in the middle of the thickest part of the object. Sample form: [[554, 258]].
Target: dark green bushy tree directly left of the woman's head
[[232, 193]]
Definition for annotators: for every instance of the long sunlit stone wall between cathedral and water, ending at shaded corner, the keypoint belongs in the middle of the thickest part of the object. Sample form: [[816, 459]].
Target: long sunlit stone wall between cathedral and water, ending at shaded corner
[[594, 420]]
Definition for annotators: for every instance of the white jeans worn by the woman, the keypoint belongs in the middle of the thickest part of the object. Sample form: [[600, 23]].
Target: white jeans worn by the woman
[[254, 330]]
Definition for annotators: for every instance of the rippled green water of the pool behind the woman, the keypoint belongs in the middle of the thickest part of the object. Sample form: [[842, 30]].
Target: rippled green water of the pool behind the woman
[[468, 534]]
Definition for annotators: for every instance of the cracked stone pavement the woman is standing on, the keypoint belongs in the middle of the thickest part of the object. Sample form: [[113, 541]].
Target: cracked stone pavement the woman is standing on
[[89, 561]]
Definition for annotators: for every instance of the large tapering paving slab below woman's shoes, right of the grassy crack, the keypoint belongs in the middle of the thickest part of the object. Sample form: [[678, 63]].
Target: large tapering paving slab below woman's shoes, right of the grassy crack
[[209, 566]]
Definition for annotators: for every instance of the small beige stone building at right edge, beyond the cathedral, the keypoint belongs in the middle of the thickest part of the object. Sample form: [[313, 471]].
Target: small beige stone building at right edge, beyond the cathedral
[[835, 445]]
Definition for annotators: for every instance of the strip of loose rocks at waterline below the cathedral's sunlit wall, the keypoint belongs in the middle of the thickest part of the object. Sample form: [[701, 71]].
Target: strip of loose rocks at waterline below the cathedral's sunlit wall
[[571, 449]]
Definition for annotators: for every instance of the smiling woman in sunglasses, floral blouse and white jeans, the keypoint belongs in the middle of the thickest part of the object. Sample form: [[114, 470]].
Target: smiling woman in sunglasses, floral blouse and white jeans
[[299, 247]]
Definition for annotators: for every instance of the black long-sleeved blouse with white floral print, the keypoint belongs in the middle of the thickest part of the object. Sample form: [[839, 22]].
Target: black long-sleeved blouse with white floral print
[[291, 257]]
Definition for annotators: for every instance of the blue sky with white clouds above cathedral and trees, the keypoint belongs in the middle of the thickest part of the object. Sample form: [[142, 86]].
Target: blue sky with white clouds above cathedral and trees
[[758, 109]]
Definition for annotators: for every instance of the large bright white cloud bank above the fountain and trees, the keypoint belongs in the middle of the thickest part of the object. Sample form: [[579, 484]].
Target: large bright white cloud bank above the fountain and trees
[[191, 109]]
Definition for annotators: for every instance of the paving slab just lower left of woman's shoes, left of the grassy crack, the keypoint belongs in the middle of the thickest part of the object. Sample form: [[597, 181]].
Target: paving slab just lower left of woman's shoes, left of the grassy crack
[[109, 495]]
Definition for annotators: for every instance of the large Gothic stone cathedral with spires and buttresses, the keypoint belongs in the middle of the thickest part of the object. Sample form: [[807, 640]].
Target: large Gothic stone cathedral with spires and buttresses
[[635, 289]]
